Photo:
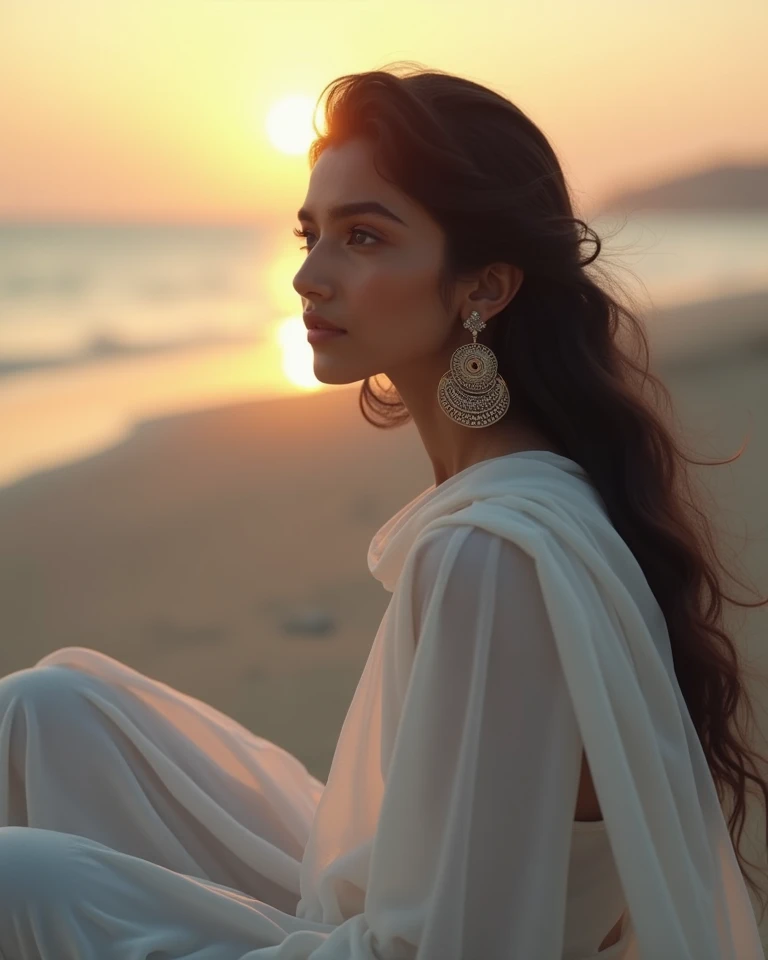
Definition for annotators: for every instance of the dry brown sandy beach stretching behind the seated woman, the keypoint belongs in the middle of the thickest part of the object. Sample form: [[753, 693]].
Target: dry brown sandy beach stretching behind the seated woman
[[224, 551]]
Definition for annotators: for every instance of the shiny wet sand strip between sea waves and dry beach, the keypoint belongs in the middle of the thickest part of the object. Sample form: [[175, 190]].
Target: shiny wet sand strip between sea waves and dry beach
[[51, 420]]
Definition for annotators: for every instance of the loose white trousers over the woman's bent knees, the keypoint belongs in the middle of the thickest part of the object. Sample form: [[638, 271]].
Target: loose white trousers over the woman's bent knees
[[138, 822]]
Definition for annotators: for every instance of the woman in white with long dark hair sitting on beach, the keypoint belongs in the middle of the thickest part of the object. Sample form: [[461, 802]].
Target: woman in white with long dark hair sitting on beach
[[532, 761]]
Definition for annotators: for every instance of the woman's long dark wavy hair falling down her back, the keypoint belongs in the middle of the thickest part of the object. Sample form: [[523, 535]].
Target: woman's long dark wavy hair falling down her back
[[575, 360]]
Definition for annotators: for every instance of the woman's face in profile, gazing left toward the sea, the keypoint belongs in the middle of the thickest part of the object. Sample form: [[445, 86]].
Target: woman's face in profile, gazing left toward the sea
[[372, 275]]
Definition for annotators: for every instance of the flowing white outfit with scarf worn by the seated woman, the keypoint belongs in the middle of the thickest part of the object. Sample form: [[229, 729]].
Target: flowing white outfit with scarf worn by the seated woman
[[520, 631]]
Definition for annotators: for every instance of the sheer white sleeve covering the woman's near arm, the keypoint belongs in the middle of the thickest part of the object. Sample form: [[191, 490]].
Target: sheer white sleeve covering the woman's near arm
[[471, 853]]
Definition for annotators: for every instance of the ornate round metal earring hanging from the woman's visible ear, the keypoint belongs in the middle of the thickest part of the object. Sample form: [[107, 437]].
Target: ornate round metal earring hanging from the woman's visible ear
[[471, 392]]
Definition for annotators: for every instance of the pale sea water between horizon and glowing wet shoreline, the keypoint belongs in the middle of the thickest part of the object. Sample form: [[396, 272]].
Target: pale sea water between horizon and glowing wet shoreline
[[71, 292]]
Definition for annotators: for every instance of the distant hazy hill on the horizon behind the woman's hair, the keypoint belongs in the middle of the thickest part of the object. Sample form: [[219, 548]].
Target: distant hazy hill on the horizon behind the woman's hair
[[726, 187]]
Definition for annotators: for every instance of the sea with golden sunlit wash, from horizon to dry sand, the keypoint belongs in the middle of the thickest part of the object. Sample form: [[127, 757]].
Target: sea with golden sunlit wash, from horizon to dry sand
[[103, 325]]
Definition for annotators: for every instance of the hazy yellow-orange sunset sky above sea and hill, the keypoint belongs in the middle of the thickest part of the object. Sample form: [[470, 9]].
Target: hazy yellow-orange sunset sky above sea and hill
[[156, 109]]
